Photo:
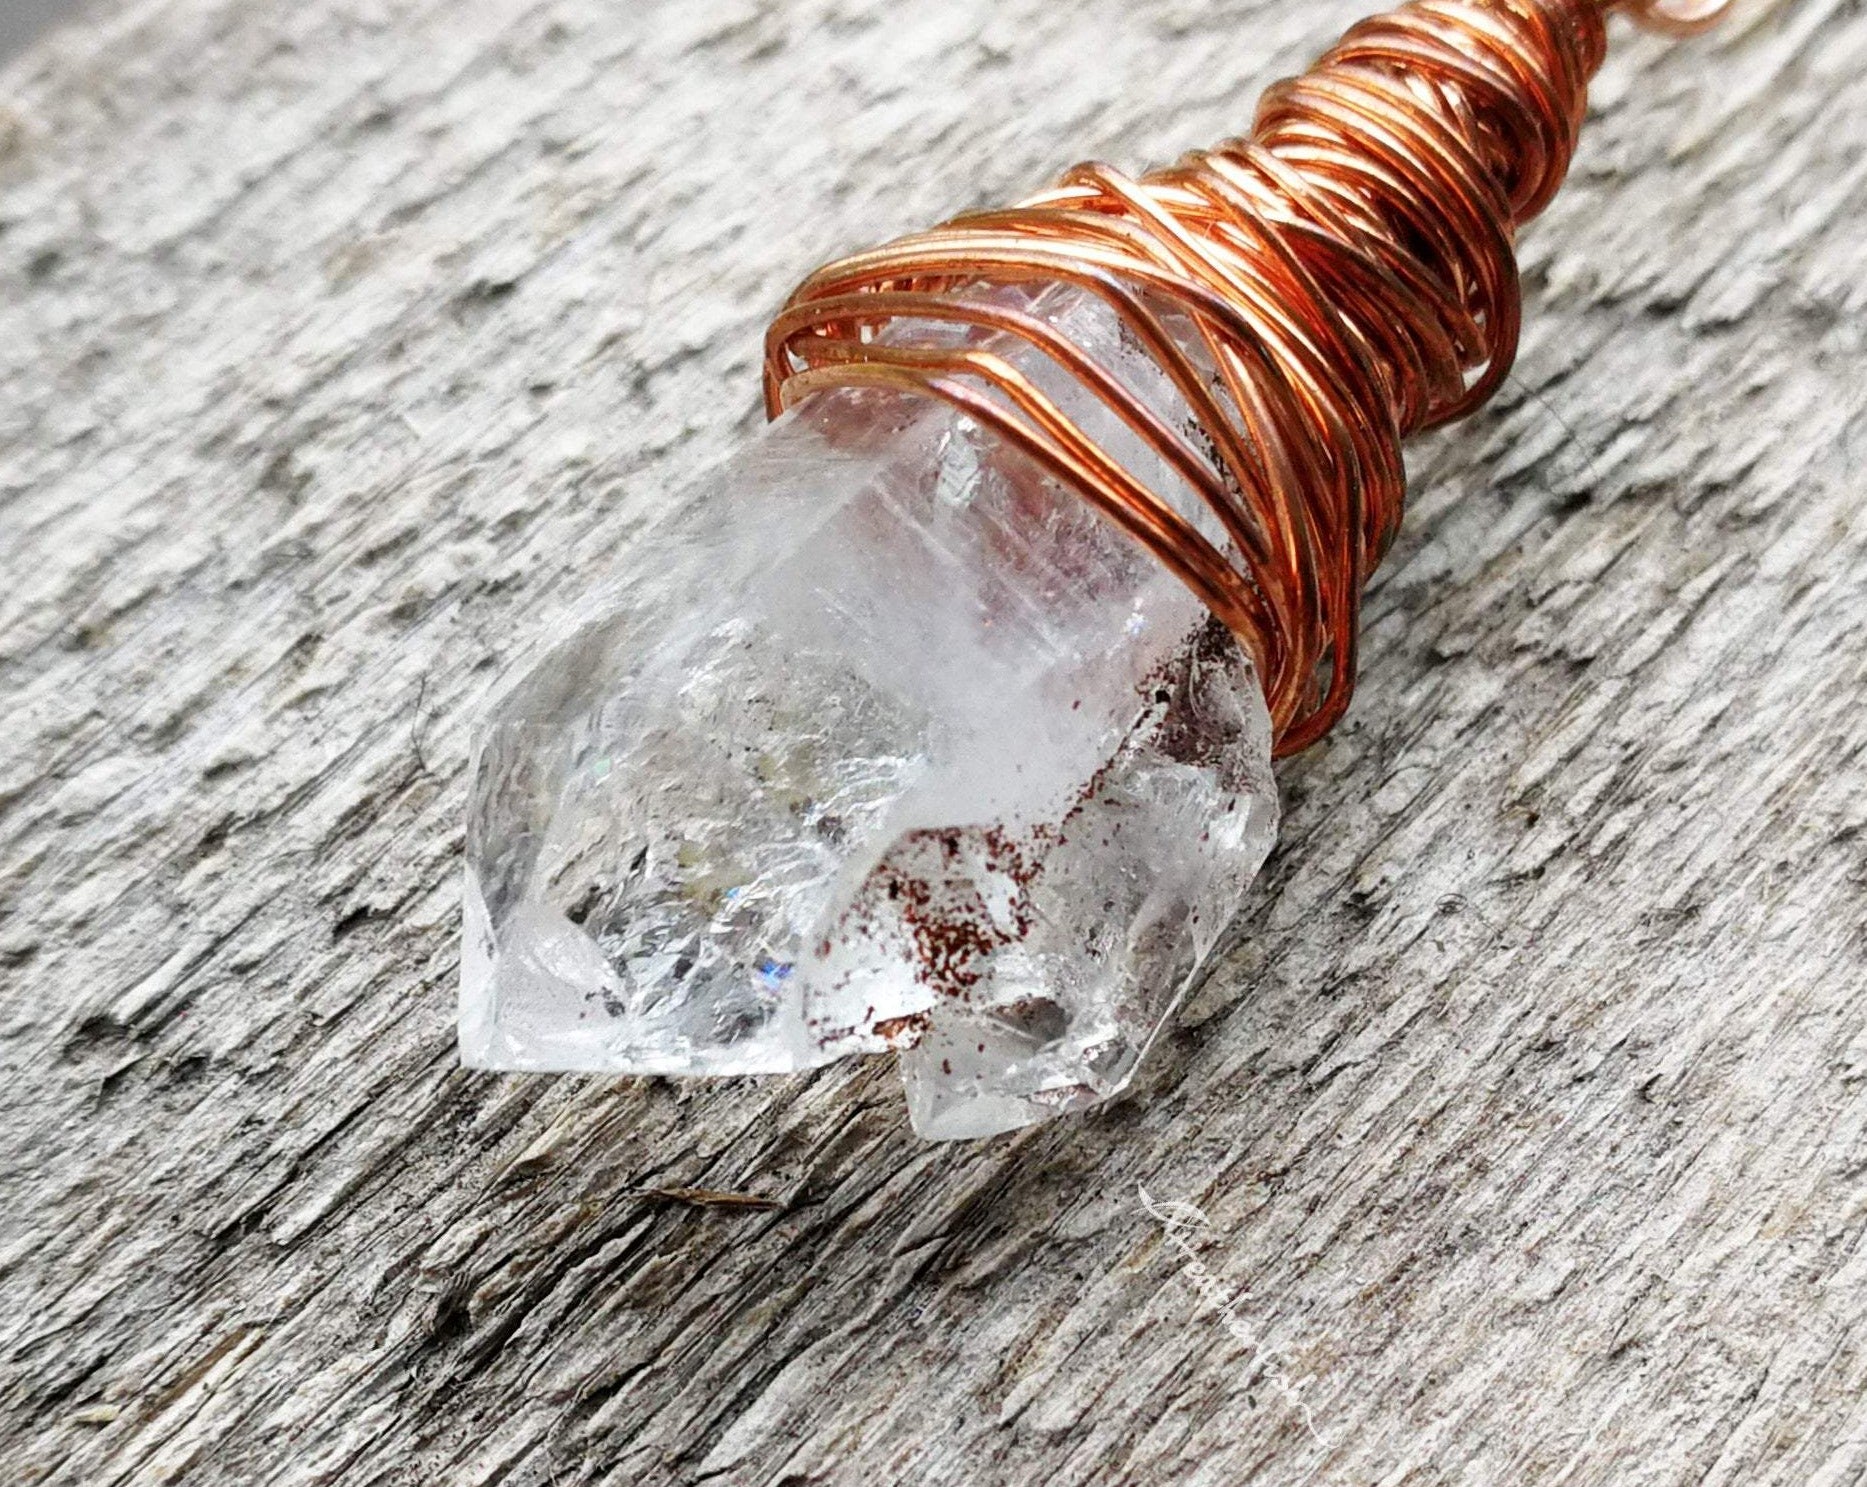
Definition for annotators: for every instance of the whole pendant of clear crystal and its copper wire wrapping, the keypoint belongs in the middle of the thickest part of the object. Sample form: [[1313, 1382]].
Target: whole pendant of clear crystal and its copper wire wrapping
[[940, 743]]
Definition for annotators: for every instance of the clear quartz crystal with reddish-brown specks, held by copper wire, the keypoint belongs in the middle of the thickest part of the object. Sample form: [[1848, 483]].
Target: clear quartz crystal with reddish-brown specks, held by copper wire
[[882, 741]]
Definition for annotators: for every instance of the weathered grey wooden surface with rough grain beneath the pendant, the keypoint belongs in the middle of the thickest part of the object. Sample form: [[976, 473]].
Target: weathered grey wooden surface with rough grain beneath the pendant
[[341, 347]]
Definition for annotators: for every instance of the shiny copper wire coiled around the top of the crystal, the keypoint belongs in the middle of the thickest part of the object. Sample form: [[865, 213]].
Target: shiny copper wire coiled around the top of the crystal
[[1349, 277]]
